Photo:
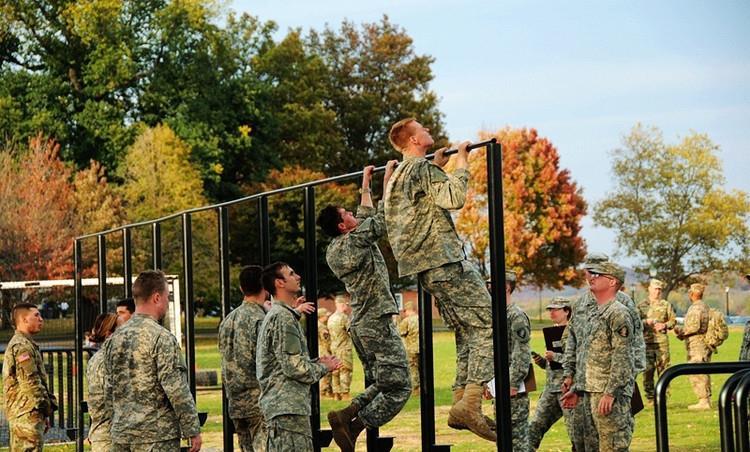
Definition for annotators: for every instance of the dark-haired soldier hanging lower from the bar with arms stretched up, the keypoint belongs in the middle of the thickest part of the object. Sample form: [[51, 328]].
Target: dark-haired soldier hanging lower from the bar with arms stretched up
[[355, 259]]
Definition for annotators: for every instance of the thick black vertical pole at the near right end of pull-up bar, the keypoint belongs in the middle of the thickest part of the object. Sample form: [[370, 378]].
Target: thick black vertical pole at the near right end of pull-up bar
[[499, 308]]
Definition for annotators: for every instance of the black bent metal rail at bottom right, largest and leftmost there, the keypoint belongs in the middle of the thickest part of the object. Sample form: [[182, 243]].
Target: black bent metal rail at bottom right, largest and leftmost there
[[660, 399]]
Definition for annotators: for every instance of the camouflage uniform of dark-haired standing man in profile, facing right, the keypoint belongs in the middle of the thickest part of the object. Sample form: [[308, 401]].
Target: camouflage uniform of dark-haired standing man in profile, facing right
[[285, 373]]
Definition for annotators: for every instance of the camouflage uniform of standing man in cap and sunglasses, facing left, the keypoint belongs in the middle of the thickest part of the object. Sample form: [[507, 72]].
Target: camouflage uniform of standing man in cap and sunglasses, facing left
[[609, 371]]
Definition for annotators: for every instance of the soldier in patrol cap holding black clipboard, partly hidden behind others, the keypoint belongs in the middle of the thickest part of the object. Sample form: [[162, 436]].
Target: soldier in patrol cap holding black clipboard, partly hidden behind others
[[549, 408]]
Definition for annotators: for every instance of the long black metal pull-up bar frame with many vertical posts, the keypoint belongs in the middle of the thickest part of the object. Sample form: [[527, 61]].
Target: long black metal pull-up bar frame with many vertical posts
[[497, 272]]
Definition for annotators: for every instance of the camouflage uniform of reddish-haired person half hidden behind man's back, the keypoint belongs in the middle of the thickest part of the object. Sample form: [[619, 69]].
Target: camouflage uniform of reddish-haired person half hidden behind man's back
[[99, 410]]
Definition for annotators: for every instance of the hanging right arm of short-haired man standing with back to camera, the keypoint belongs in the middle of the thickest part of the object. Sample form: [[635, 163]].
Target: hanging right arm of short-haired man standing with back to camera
[[172, 374]]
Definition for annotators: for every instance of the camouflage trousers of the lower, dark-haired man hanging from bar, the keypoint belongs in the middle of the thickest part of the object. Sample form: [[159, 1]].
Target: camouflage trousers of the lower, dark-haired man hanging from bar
[[383, 357]]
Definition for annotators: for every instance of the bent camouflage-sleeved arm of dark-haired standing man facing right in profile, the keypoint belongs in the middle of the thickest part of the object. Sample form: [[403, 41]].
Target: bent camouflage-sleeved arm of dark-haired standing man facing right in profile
[[294, 363]]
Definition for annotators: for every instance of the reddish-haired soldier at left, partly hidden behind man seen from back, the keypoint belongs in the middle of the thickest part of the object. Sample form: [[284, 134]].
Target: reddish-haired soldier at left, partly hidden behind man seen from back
[[96, 375]]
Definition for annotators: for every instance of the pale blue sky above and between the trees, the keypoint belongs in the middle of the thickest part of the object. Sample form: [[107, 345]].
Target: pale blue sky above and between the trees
[[581, 73]]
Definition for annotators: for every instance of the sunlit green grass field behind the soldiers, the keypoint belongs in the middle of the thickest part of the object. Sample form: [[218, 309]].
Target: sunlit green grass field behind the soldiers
[[689, 431]]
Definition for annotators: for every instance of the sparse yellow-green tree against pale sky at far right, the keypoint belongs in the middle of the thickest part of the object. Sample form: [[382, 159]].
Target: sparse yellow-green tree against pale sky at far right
[[670, 211]]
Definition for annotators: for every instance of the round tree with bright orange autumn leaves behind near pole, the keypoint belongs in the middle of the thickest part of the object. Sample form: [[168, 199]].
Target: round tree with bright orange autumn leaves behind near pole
[[543, 208]]
